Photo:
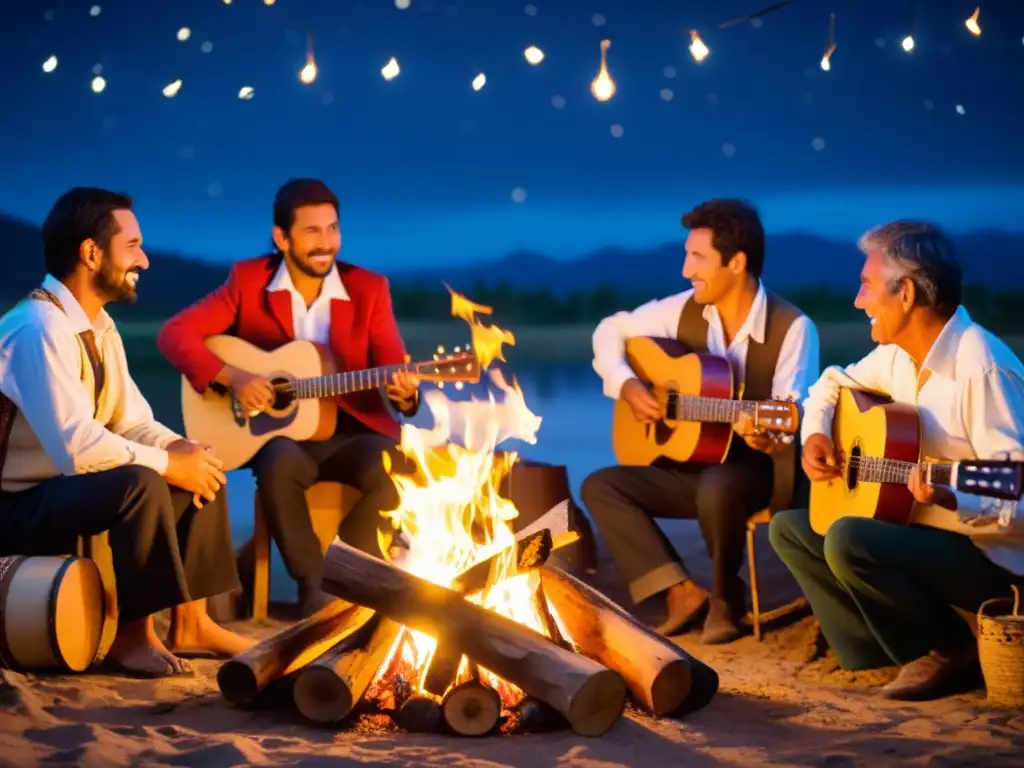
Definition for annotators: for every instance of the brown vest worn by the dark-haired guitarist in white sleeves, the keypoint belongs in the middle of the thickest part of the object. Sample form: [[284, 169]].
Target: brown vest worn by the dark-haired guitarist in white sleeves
[[789, 488]]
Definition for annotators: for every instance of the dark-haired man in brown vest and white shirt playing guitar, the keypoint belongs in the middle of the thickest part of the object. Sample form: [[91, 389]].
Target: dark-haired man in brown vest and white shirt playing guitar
[[774, 349]]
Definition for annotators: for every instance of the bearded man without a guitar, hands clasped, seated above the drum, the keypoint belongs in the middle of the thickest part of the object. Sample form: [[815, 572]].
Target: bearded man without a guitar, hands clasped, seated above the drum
[[81, 453]]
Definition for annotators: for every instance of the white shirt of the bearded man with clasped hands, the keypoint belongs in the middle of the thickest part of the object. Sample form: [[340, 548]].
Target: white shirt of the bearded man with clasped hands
[[40, 372]]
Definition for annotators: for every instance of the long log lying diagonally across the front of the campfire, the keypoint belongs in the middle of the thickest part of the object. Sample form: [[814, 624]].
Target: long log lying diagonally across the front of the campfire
[[590, 697]]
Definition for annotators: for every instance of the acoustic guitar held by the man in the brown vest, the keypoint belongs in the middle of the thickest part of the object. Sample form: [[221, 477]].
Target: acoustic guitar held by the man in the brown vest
[[699, 397]]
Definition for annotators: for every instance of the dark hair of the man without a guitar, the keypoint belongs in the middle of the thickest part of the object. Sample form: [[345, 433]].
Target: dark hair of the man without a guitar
[[81, 214]]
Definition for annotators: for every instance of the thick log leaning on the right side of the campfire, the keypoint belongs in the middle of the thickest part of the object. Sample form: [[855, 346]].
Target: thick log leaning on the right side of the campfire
[[661, 675]]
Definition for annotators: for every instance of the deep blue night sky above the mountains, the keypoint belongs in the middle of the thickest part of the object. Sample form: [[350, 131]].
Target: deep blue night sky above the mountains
[[432, 172]]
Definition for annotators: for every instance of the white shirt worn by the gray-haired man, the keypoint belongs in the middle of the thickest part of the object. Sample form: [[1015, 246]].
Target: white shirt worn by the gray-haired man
[[971, 407]]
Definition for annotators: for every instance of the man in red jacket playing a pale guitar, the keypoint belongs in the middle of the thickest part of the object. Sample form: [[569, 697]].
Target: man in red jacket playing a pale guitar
[[304, 292]]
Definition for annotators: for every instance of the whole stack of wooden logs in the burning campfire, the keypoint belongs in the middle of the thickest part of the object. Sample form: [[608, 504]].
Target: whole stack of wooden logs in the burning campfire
[[596, 654]]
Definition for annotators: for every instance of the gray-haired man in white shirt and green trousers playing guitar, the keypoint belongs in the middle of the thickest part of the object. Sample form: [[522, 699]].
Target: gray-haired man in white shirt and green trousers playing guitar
[[885, 594]]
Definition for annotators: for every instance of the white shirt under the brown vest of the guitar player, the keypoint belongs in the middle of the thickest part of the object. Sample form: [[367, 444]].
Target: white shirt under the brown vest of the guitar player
[[797, 367]]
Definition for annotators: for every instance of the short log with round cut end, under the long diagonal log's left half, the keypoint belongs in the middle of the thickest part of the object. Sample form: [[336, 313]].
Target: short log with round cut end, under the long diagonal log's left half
[[329, 689]]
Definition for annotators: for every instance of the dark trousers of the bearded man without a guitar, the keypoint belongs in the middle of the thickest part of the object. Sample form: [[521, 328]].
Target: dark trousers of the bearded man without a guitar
[[166, 552]]
